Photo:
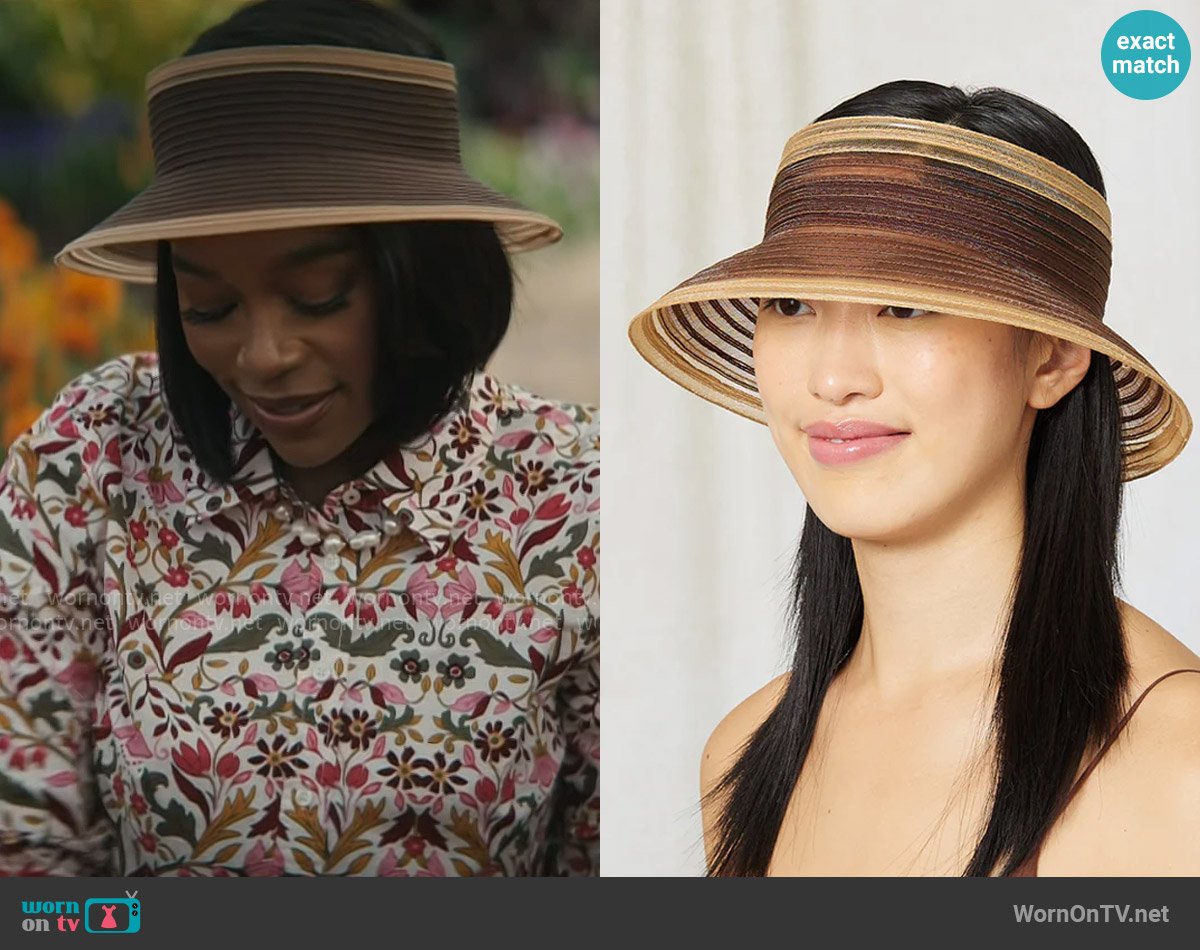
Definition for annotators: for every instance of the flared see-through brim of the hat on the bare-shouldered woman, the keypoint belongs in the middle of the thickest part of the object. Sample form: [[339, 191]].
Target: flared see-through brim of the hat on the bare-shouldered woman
[[701, 334]]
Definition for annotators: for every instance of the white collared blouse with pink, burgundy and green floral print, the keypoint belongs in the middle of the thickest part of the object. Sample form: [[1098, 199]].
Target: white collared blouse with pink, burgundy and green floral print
[[208, 680]]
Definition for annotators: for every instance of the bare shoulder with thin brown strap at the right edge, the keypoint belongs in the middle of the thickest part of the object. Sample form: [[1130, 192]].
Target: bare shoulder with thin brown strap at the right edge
[[1151, 778]]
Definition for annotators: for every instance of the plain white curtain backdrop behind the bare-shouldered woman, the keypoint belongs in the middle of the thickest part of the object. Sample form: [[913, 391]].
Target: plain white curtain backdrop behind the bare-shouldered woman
[[701, 515]]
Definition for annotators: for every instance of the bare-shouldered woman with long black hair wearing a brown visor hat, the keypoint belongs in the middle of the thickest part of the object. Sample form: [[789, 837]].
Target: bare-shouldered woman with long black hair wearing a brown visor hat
[[962, 659]]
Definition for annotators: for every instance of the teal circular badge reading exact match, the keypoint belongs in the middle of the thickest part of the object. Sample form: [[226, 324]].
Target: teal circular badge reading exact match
[[1145, 55]]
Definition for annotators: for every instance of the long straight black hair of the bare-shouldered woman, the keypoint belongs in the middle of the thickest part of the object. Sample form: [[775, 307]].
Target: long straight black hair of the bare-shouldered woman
[[1064, 672]]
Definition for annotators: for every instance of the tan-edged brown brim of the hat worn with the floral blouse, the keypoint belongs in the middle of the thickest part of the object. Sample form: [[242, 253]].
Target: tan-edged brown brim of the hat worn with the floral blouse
[[293, 193]]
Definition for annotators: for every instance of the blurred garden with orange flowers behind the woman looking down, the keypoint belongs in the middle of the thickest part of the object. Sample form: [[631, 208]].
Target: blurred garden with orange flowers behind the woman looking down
[[75, 147]]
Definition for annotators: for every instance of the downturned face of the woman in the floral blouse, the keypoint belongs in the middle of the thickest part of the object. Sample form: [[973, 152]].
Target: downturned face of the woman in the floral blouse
[[285, 322]]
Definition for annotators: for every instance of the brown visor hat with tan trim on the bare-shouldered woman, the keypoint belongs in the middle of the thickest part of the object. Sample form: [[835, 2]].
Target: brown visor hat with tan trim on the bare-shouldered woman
[[909, 213]]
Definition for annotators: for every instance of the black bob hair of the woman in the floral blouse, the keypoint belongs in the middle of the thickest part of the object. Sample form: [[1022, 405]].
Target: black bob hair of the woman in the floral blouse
[[443, 288]]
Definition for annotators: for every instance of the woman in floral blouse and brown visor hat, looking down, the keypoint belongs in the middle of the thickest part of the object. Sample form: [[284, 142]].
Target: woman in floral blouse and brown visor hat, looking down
[[308, 592]]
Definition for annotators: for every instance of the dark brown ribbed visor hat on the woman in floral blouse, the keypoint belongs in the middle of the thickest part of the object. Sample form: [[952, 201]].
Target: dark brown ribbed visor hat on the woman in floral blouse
[[295, 136]]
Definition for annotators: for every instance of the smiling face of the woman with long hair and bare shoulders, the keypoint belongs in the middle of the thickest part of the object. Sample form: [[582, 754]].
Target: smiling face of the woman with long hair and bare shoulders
[[961, 396]]
